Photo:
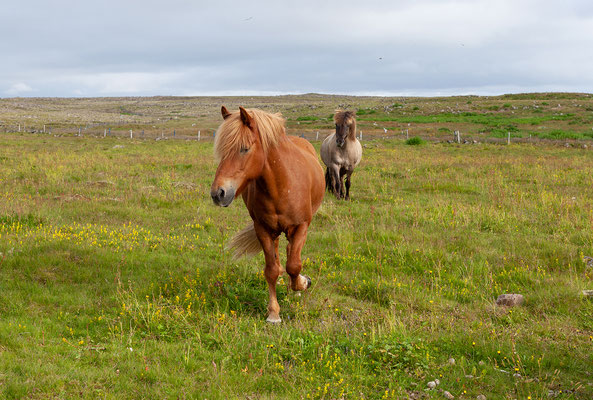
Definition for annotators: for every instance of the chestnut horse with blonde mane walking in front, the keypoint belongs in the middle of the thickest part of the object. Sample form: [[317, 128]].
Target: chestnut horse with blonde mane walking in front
[[281, 182]]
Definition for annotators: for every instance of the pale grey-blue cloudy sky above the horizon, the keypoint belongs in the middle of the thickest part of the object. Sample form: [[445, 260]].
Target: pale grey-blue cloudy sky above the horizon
[[217, 47]]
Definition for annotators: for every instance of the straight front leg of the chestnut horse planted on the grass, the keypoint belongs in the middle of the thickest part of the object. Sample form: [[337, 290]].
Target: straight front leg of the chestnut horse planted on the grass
[[272, 271]]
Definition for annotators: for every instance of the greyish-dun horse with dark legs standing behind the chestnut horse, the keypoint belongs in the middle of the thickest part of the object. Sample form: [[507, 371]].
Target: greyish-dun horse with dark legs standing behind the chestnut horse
[[341, 153]]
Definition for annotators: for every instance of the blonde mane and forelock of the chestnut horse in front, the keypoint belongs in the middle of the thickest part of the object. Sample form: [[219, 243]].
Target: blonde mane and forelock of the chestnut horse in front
[[232, 134]]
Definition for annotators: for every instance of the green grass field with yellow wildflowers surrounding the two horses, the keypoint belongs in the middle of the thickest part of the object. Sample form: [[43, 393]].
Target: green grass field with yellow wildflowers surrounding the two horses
[[114, 281]]
